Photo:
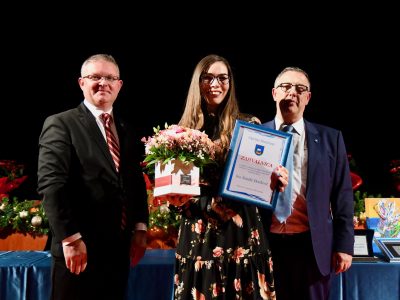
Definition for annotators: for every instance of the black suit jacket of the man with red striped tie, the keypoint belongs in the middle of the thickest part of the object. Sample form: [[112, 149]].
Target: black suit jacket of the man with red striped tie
[[81, 190]]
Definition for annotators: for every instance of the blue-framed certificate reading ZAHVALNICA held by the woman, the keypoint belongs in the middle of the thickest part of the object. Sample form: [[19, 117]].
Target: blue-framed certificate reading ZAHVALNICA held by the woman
[[255, 151]]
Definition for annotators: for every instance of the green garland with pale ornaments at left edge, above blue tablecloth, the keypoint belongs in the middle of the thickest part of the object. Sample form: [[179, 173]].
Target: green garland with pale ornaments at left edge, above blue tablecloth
[[25, 217]]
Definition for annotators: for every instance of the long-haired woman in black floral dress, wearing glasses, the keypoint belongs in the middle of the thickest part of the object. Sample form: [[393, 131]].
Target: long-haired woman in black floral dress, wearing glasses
[[222, 252]]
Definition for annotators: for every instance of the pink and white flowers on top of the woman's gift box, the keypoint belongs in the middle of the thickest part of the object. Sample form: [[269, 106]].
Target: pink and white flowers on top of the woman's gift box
[[178, 142]]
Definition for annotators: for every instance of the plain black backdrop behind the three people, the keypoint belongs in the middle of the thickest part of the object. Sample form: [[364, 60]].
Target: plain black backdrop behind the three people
[[353, 66]]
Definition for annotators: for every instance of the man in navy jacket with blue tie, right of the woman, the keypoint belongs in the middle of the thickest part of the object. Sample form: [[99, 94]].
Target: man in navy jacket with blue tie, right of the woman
[[317, 237]]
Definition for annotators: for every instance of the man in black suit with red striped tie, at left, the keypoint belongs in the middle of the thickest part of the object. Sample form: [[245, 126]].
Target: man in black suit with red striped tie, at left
[[93, 193]]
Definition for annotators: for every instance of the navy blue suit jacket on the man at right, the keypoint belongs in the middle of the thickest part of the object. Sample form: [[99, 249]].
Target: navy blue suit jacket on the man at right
[[329, 193]]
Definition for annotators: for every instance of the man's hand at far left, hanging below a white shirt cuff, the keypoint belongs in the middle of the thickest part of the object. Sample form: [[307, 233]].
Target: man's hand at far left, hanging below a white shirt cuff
[[75, 256]]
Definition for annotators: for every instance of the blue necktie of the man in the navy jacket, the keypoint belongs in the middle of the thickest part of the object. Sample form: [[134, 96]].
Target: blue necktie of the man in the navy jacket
[[283, 207]]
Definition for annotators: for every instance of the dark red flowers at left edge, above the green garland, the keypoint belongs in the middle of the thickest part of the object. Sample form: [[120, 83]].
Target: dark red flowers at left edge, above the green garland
[[11, 177]]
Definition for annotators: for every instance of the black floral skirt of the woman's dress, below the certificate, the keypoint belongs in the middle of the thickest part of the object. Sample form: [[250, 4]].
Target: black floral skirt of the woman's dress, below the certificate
[[222, 252]]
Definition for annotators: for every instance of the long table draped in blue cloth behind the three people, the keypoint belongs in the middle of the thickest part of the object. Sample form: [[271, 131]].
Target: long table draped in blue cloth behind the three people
[[25, 275]]
